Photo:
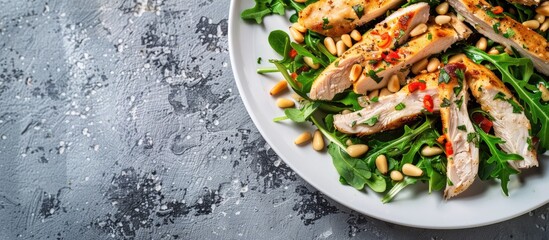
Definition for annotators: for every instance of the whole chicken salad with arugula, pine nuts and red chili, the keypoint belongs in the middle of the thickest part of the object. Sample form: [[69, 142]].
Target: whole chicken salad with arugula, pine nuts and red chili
[[410, 92]]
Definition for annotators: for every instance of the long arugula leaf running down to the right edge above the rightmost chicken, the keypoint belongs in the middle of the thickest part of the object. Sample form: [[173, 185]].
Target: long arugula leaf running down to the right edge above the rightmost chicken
[[517, 72]]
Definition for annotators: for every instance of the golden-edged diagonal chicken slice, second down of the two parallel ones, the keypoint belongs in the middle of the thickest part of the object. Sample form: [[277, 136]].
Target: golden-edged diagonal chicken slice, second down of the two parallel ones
[[437, 39]]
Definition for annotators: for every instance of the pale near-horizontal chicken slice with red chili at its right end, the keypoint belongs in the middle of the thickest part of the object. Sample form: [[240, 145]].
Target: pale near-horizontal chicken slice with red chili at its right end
[[392, 111]]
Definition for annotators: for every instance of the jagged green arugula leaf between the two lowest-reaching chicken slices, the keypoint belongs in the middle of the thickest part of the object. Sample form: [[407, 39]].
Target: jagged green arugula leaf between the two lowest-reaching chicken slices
[[497, 163]]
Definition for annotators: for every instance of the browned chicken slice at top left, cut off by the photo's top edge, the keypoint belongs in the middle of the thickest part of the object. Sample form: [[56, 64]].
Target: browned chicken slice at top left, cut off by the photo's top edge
[[336, 17]]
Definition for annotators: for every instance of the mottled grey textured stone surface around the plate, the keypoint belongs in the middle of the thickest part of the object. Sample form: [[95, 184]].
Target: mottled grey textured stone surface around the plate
[[121, 119]]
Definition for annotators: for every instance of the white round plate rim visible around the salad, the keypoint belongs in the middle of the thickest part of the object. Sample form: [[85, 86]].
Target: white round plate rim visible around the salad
[[482, 205]]
